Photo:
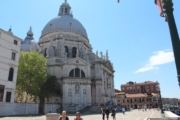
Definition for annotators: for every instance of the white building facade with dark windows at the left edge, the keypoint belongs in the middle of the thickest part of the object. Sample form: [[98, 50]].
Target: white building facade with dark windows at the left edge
[[9, 58]]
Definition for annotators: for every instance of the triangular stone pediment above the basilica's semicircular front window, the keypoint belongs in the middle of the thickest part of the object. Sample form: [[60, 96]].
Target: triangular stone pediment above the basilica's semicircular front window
[[77, 61]]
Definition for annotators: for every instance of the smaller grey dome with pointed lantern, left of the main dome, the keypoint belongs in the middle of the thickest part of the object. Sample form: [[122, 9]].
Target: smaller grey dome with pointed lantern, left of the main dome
[[29, 44]]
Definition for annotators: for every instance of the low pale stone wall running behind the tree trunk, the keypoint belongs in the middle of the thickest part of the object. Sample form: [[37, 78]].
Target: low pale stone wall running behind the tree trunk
[[7, 109]]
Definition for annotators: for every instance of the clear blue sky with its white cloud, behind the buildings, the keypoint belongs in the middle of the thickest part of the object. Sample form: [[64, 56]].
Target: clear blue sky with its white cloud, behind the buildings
[[137, 38]]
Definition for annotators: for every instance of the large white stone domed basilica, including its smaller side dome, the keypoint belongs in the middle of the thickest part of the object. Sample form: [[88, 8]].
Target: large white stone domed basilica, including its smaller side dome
[[86, 78]]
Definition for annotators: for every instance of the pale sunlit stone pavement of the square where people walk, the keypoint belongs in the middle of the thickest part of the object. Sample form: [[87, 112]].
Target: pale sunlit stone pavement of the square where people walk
[[132, 115]]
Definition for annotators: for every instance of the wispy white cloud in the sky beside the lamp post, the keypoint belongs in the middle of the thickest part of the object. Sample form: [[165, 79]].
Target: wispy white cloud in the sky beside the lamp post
[[158, 58]]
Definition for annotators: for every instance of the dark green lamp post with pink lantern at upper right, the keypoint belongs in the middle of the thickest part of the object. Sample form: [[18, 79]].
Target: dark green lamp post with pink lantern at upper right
[[166, 10]]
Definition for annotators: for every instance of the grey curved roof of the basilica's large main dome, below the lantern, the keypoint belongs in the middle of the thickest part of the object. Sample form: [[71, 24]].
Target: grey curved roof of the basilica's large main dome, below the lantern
[[64, 23]]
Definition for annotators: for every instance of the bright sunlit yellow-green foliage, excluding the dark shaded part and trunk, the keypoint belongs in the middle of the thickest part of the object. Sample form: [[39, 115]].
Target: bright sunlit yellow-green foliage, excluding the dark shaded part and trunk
[[31, 73]]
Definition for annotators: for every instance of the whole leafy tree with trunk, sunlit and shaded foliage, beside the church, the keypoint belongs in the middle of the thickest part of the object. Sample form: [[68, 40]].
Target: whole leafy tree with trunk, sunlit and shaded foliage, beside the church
[[33, 79]]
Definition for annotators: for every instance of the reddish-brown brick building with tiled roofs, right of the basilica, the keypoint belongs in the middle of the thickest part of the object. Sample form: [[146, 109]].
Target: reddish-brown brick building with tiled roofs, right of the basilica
[[134, 94]]
